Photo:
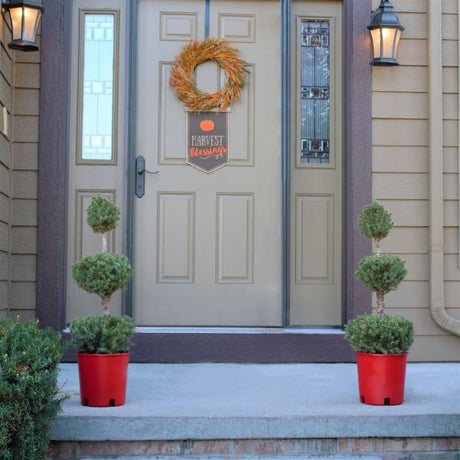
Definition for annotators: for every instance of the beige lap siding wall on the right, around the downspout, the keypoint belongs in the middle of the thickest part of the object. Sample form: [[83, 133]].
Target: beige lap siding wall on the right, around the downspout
[[401, 172]]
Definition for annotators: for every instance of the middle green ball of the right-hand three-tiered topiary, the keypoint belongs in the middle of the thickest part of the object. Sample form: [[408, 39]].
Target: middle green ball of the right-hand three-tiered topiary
[[381, 273]]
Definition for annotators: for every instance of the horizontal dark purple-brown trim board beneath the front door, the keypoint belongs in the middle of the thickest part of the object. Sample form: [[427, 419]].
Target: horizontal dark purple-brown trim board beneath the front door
[[237, 347]]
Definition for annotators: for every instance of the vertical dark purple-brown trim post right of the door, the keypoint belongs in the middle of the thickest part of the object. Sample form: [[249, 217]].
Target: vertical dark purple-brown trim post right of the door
[[358, 147]]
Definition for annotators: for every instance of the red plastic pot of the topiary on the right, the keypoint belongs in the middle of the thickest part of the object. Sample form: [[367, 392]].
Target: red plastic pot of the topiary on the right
[[381, 378]]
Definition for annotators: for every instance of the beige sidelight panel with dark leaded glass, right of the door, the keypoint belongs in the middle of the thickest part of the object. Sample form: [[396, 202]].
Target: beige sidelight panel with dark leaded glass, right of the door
[[316, 164]]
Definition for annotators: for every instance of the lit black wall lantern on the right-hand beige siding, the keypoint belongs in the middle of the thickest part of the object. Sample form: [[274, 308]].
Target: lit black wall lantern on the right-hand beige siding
[[385, 30]]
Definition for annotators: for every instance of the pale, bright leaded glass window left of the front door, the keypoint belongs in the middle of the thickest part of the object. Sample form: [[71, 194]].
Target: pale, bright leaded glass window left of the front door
[[97, 119]]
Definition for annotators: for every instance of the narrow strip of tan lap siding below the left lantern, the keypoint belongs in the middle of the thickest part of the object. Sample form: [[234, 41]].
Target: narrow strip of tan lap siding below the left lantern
[[24, 178]]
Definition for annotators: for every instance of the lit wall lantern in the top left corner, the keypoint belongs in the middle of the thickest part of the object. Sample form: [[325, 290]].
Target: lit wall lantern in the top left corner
[[24, 18]]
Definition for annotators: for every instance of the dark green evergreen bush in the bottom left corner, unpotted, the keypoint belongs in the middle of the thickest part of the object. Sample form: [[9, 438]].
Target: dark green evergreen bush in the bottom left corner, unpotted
[[29, 398]]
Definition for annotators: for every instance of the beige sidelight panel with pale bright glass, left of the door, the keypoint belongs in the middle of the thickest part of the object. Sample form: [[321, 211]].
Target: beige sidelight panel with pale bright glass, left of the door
[[97, 95]]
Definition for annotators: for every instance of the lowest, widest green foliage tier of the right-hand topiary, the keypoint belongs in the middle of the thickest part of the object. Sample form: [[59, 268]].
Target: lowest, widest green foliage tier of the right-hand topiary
[[380, 334]]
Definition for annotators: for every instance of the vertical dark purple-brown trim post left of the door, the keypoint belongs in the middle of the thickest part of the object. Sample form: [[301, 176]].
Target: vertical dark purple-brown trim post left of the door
[[52, 164]]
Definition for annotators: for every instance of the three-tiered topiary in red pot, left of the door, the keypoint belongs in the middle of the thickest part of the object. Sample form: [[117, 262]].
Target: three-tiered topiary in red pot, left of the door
[[102, 342]]
